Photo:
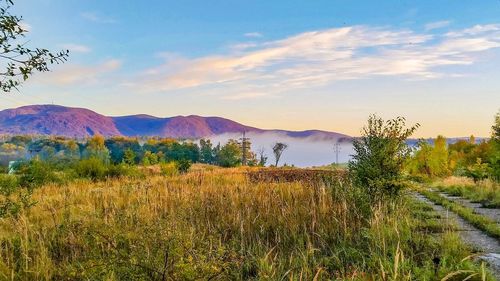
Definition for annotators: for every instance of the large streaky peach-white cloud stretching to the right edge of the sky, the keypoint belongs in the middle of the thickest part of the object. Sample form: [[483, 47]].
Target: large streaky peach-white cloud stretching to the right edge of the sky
[[316, 58]]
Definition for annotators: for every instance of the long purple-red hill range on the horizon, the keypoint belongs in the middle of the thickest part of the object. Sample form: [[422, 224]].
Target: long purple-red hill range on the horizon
[[80, 122]]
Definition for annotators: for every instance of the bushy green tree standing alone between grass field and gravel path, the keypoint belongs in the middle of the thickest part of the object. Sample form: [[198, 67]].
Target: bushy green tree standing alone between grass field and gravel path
[[380, 154]]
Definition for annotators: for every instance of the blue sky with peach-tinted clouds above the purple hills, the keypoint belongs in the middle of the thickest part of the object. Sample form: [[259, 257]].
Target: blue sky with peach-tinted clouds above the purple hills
[[290, 64]]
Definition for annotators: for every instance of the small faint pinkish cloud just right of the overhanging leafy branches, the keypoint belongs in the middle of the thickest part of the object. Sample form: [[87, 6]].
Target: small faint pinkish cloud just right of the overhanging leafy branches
[[72, 74]]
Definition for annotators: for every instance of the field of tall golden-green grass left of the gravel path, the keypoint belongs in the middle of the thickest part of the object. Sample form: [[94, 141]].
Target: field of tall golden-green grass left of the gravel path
[[221, 224]]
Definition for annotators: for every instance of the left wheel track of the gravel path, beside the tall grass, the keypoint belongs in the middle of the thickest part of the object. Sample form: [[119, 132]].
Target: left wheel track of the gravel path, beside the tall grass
[[490, 247]]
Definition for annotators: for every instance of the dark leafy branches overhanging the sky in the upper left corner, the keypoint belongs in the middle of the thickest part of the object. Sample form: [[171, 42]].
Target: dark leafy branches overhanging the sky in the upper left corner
[[18, 61]]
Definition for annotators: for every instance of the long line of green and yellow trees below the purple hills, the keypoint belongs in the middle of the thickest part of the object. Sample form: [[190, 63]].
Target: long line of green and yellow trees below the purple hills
[[134, 151]]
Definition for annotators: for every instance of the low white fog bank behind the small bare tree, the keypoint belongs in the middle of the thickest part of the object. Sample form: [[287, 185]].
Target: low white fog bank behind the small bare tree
[[301, 152]]
